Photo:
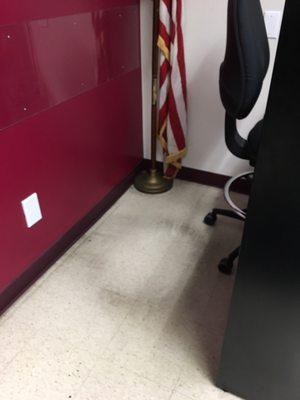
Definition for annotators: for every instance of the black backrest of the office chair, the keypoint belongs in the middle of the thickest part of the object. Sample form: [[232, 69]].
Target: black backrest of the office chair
[[247, 57]]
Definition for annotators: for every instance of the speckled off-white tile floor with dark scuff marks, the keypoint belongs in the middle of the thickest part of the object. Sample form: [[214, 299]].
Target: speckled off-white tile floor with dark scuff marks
[[135, 310]]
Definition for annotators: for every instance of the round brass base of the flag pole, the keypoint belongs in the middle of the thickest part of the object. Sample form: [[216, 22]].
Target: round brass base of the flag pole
[[152, 182]]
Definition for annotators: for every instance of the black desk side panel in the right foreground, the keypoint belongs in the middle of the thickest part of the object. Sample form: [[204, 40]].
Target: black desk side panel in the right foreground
[[261, 355]]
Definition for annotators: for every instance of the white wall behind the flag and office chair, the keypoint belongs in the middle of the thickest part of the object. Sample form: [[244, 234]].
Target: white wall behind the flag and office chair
[[205, 36]]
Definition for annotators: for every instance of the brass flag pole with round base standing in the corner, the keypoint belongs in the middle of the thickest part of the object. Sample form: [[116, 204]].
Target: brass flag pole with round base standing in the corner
[[153, 182]]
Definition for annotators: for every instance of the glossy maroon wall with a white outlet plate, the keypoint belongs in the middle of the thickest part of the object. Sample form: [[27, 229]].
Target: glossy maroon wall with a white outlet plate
[[70, 115]]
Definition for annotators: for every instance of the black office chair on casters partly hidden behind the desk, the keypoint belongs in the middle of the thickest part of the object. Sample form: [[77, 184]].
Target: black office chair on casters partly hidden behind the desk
[[241, 78]]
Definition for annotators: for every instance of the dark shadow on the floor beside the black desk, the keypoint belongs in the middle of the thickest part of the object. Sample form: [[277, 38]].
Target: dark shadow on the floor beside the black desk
[[200, 315]]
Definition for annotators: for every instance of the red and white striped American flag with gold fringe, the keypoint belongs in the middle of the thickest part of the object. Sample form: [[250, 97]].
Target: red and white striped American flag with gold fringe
[[173, 87]]
